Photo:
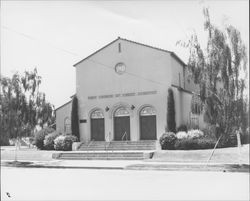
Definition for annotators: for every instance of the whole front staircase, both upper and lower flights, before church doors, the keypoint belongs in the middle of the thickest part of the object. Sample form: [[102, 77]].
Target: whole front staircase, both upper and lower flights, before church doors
[[114, 150]]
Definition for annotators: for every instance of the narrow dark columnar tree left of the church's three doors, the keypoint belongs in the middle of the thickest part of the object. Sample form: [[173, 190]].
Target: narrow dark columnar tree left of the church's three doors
[[75, 118]]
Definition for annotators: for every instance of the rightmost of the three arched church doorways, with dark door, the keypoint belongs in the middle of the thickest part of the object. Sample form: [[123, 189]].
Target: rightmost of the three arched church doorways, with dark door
[[148, 123]]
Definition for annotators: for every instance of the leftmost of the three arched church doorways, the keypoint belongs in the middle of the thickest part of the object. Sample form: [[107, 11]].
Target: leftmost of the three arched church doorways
[[97, 125]]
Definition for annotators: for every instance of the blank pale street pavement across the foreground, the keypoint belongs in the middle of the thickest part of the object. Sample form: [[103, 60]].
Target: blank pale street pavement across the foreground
[[86, 184]]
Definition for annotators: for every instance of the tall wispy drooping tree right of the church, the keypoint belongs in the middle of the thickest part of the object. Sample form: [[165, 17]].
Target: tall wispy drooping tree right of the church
[[216, 69]]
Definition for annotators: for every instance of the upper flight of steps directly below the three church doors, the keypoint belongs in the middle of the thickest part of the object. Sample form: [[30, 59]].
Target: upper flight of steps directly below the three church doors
[[119, 145]]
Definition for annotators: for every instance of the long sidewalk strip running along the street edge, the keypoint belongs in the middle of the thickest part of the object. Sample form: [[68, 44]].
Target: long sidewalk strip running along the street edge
[[127, 165]]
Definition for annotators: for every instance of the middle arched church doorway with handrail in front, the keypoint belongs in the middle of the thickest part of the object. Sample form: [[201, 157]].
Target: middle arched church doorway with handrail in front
[[121, 124]]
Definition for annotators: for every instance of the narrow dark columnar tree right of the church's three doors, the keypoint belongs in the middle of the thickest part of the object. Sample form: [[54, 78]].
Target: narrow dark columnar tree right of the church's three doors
[[171, 112]]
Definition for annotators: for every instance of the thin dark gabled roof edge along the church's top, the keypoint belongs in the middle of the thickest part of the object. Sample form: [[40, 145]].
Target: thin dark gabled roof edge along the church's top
[[159, 49]]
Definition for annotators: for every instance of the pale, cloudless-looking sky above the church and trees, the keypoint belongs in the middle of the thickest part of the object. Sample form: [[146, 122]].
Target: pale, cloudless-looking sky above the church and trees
[[54, 35]]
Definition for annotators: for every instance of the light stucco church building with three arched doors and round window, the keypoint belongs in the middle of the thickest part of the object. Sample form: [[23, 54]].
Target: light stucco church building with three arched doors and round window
[[122, 92]]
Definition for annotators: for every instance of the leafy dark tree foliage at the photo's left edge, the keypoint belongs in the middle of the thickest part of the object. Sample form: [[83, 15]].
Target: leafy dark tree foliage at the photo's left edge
[[23, 106]]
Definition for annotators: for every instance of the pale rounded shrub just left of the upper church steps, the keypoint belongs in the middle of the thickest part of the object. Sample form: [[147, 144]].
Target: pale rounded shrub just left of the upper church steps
[[64, 142]]
